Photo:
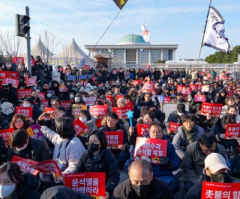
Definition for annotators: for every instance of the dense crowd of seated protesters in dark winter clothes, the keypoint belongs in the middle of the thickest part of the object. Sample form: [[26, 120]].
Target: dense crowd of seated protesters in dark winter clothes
[[198, 150]]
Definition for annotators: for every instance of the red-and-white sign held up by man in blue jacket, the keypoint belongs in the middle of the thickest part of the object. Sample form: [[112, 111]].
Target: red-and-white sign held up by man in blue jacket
[[150, 149]]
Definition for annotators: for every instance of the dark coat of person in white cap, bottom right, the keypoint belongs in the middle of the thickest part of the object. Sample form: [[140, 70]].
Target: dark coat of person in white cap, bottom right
[[195, 192]]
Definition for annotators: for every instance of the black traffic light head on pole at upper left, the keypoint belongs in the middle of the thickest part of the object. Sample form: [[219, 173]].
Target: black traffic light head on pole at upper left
[[20, 24]]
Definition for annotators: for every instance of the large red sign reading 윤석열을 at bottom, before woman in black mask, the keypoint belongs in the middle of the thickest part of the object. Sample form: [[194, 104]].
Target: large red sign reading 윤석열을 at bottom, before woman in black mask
[[91, 183]]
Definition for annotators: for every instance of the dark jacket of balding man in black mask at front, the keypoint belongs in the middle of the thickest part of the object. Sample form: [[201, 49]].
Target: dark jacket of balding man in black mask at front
[[159, 190]]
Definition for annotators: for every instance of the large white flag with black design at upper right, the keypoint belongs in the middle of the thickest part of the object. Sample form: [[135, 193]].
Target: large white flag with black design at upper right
[[214, 34]]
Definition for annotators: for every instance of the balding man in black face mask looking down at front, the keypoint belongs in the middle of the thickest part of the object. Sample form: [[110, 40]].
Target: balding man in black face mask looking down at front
[[142, 184]]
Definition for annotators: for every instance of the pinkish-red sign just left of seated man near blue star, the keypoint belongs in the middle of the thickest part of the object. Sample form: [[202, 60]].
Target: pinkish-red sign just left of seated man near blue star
[[99, 112]]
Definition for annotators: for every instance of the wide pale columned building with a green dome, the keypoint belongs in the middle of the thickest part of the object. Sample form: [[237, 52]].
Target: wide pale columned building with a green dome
[[132, 51]]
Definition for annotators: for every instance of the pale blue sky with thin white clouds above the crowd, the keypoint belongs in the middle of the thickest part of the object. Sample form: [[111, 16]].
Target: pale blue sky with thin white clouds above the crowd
[[169, 21]]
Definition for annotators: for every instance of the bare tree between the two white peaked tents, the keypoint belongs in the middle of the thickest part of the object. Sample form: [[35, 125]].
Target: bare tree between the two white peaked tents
[[51, 42]]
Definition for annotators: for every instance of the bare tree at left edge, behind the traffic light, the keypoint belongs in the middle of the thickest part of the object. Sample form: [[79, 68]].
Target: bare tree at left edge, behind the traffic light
[[10, 45]]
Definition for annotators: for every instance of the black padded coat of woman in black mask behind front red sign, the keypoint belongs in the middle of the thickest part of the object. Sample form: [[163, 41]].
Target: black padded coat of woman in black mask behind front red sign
[[103, 162]]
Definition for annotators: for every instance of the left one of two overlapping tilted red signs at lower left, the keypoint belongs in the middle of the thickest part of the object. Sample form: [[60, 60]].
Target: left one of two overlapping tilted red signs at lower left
[[25, 164]]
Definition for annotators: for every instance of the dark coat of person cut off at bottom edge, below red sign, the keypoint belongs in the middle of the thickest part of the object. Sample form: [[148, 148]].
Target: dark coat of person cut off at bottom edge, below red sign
[[63, 192]]
